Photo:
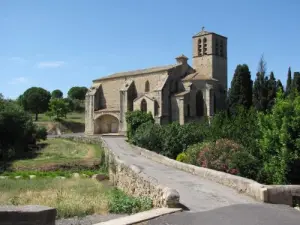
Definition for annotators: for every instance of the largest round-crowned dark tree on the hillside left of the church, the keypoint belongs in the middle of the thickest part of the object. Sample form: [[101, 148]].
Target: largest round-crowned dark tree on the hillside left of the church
[[35, 100]]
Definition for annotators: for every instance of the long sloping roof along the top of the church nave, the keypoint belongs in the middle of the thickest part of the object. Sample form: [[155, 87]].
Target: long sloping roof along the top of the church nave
[[139, 72]]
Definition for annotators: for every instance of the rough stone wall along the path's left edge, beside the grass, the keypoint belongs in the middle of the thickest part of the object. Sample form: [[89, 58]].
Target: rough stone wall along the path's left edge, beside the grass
[[131, 179]]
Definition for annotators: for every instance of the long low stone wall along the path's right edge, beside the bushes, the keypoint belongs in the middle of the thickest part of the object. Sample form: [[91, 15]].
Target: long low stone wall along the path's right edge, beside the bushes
[[280, 194]]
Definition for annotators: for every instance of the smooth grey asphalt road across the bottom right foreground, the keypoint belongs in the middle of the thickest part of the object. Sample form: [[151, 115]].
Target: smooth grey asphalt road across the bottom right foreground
[[240, 214]]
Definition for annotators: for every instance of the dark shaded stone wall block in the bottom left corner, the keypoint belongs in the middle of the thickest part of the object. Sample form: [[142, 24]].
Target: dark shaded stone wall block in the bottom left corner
[[27, 215]]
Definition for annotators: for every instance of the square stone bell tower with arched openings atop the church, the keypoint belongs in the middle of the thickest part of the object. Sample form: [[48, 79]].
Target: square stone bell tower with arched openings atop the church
[[210, 56]]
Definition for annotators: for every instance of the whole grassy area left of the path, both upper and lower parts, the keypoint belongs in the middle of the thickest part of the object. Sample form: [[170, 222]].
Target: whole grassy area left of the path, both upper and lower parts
[[55, 185]]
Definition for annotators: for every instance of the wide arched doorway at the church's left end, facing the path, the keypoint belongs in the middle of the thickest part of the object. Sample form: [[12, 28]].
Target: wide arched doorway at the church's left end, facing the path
[[106, 124]]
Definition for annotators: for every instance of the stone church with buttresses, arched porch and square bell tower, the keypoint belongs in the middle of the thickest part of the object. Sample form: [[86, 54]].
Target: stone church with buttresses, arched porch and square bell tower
[[177, 92]]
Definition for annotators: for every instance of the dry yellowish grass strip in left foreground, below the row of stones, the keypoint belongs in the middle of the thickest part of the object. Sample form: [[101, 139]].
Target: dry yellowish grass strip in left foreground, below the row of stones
[[71, 197]]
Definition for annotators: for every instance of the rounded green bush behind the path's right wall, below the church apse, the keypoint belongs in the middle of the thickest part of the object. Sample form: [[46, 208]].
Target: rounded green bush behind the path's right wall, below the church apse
[[149, 136]]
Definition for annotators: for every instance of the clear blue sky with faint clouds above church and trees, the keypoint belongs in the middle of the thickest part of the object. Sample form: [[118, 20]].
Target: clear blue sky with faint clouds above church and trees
[[57, 44]]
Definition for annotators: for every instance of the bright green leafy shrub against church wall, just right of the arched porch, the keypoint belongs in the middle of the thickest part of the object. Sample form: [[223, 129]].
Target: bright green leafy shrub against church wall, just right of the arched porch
[[134, 119]]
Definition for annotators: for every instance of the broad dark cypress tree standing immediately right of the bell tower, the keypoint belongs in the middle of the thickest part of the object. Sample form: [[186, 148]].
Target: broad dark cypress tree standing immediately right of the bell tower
[[241, 88]]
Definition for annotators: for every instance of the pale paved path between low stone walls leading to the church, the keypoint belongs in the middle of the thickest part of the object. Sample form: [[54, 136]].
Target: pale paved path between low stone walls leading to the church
[[195, 193]]
